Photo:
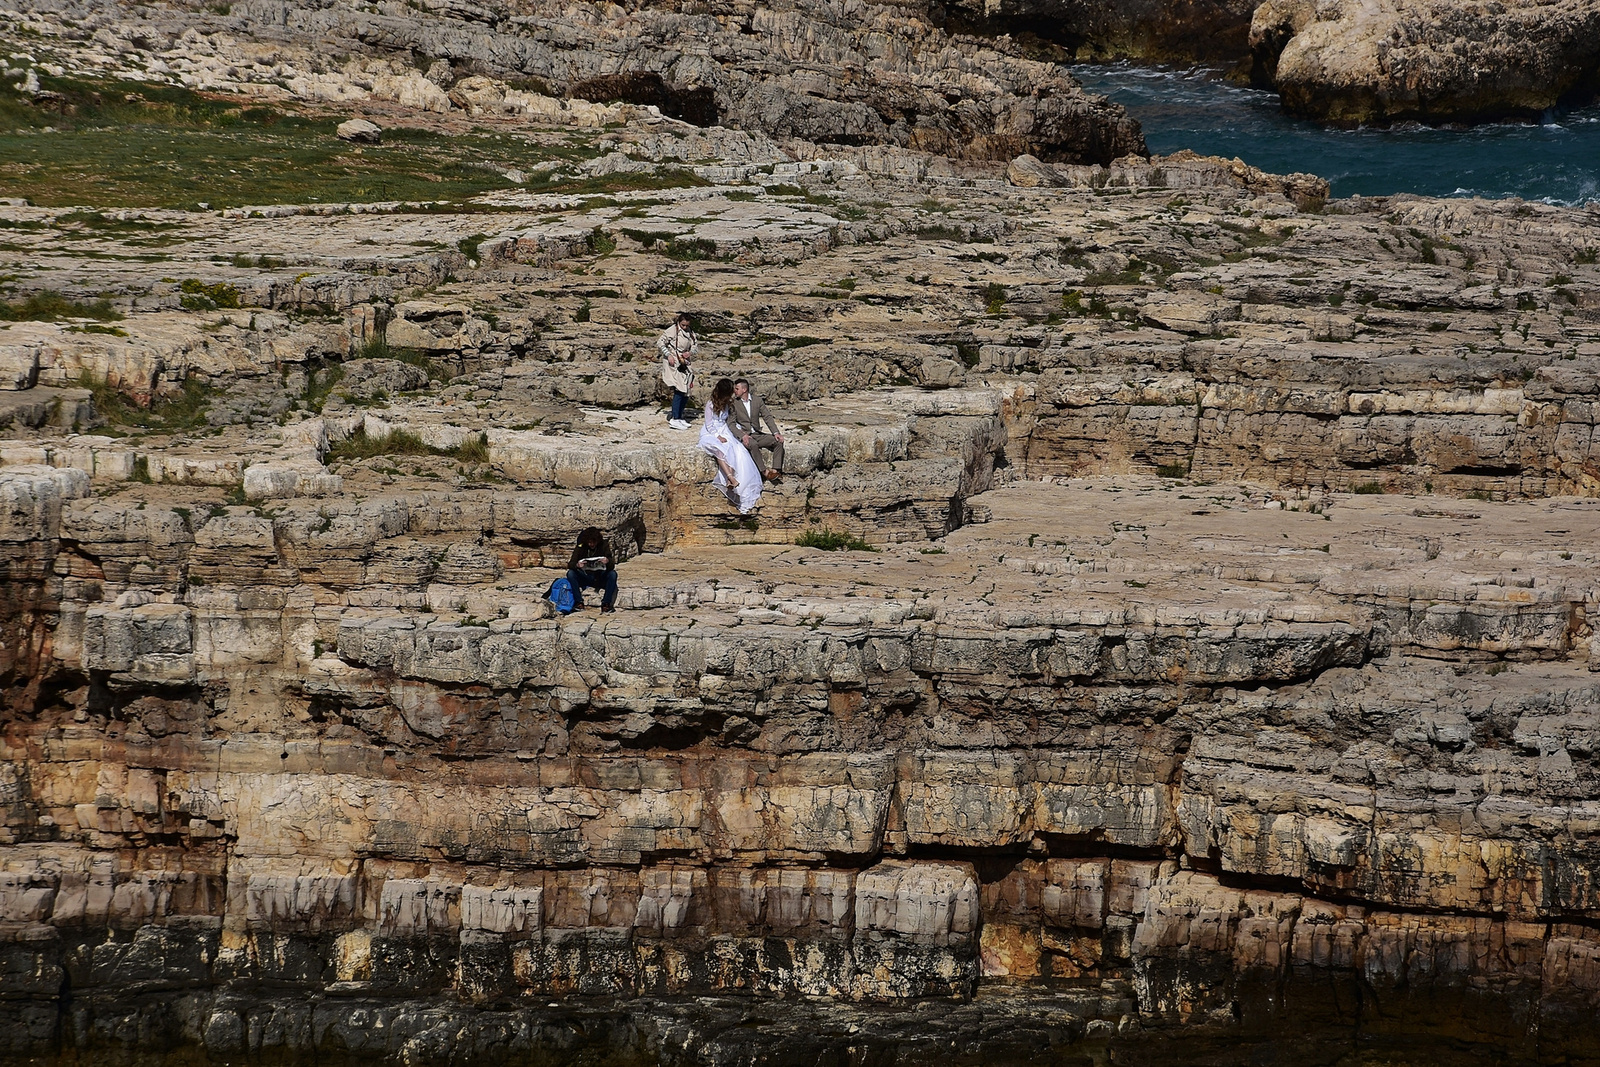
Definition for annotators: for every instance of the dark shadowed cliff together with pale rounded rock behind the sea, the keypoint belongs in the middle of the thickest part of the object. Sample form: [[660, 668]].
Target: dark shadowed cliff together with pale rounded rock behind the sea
[[1338, 63]]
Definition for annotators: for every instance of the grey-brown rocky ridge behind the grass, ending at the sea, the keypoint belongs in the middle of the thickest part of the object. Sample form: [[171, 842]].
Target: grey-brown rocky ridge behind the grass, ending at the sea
[[822, 73]]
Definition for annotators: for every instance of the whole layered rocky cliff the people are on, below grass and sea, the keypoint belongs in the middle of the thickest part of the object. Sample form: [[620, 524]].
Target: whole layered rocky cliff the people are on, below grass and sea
[[1172, 631]]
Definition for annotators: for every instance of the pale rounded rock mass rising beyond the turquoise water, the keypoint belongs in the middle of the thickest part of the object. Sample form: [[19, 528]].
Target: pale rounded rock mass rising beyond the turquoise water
[[1393, 62]]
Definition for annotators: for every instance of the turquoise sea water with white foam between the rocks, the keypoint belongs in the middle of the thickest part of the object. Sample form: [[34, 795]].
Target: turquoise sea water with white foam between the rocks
[[1556, 161]]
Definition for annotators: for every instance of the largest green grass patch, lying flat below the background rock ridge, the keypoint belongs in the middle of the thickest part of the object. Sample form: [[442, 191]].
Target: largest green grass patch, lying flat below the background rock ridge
[[143, 146]]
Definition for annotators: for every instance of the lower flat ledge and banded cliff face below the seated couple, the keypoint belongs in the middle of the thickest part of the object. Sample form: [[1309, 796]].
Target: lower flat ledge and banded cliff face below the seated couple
[[1191, 772]]
